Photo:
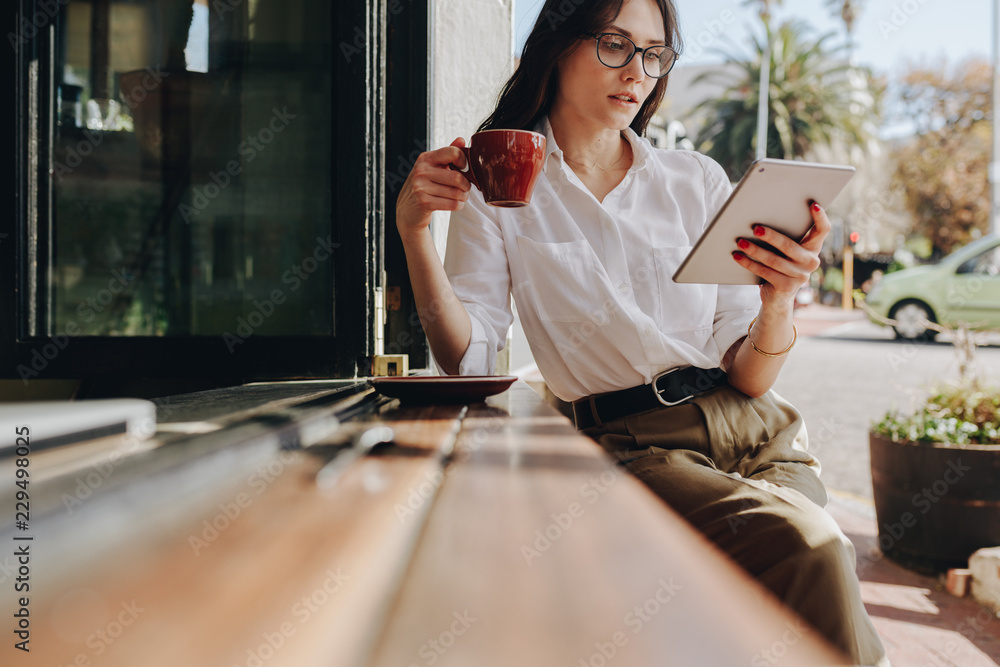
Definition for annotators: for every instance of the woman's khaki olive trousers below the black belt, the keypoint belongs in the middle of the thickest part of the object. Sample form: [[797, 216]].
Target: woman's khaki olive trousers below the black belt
[[738, 469]]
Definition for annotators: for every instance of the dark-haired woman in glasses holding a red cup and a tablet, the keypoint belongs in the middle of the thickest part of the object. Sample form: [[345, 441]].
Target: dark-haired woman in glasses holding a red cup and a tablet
[[589, 264]]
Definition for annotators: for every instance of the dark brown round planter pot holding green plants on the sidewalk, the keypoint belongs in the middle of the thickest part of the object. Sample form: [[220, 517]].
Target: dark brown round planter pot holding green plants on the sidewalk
[[936, 504]]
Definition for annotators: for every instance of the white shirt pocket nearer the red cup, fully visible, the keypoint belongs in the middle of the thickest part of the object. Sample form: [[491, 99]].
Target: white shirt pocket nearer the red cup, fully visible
[[563, 279]]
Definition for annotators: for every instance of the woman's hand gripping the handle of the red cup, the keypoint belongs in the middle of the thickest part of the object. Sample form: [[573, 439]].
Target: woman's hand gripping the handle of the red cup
[[432, 186]]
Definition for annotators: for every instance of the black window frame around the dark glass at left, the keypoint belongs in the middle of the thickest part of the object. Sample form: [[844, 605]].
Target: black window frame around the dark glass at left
[[358, 220]]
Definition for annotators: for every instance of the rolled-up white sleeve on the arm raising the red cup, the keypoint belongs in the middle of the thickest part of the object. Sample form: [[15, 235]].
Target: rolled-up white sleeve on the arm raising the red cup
[[476, 264]]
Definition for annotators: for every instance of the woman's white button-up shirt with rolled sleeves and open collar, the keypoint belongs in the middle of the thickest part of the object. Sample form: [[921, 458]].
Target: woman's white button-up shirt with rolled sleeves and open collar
[[592, 280]]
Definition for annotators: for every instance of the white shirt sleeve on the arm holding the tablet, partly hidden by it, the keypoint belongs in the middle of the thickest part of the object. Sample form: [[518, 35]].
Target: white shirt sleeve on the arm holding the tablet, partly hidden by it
[[737, 305]]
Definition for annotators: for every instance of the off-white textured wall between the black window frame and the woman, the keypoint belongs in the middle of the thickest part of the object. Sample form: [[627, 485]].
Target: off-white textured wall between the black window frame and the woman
[[472, 57]]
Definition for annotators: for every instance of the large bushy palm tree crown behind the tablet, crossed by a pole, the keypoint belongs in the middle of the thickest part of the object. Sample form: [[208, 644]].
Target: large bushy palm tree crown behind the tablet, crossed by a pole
[[812, 101]]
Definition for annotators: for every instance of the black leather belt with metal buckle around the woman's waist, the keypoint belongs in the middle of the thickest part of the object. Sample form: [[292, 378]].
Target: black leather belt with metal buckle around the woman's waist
[[667, 389]]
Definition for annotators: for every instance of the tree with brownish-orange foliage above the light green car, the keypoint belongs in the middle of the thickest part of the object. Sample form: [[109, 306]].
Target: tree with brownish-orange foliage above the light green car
[[944, 170]]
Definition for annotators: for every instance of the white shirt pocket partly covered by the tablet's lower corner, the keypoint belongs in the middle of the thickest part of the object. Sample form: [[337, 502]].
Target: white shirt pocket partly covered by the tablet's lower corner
[[682, 307]]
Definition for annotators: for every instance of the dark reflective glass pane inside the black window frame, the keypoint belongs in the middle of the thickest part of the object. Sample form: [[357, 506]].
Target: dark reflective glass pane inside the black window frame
[[192, 168]]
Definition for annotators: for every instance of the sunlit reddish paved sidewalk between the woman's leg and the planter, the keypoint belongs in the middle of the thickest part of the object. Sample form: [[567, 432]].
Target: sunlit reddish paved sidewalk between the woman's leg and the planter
[[921, 625]]
